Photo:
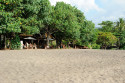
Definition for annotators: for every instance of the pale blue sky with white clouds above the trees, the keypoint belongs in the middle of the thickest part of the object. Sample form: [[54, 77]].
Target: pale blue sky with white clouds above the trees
[[98, 10]]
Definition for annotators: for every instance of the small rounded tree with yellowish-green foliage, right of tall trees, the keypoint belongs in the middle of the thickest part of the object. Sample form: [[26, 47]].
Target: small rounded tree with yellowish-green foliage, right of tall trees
[[106, 39]]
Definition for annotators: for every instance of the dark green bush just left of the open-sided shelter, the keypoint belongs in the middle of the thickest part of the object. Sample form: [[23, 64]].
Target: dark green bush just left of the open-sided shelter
[[15, 43]]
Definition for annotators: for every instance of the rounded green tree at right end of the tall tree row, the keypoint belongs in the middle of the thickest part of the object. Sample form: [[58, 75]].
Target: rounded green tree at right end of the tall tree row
[[88, 33]]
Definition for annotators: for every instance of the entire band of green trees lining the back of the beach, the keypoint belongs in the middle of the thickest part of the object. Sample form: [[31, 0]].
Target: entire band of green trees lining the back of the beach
[[65, 23]]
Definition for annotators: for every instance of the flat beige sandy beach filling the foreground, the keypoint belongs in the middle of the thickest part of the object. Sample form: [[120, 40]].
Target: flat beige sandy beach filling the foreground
[[62, 66]]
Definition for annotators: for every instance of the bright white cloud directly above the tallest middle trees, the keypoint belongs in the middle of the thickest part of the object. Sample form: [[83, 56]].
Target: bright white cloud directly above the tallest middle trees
[[85, 5]]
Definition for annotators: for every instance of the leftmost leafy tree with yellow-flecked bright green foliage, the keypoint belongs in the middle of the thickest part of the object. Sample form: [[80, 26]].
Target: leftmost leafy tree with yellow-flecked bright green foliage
[[9, 13]]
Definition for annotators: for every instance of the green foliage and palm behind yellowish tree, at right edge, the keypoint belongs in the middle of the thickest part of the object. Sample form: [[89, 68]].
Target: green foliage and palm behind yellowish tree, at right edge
[[116, 29]]
